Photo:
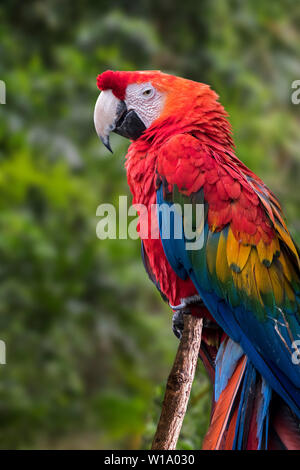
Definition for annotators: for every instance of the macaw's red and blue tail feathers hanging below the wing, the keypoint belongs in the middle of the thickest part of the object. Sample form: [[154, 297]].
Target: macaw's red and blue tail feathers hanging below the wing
[[246, 413]]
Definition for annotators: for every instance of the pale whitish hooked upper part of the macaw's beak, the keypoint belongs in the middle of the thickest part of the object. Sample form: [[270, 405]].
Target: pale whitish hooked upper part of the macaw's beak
[[105, 114]]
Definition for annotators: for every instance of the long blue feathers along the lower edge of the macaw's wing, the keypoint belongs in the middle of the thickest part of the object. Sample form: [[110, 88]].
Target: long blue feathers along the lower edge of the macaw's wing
[[267, 344]]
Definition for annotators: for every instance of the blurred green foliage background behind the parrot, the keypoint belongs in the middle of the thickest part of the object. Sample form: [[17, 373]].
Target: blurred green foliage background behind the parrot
[[89, 341]]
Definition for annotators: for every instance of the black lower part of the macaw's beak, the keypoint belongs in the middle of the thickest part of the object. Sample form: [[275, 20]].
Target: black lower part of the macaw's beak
[[128, 123]]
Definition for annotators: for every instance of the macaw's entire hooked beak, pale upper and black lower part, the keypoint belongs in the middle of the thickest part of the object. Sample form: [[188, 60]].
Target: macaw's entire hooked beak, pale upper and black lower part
[[111, 115]]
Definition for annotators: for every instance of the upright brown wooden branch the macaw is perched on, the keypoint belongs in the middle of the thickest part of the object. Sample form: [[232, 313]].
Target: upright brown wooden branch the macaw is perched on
[[179, 386]]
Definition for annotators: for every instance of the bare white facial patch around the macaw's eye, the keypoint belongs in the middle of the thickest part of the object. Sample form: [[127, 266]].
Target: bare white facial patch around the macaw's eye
[[145, 100]]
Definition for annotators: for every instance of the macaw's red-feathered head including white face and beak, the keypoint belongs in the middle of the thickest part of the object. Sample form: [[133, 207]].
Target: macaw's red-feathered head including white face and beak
[[130, 103]]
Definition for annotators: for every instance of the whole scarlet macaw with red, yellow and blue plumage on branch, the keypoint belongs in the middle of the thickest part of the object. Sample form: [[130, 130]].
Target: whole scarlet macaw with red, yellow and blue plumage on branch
[[242, 275]]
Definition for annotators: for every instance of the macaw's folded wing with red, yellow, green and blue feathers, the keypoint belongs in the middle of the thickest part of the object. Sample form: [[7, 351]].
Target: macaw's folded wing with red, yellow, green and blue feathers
[[245, 264]]
